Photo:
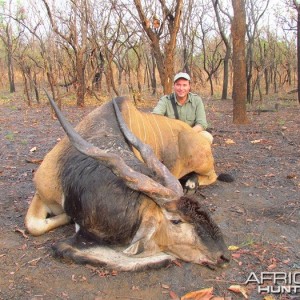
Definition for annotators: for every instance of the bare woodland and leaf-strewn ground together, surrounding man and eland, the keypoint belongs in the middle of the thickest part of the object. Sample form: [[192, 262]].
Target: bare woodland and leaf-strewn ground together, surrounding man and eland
[[243, 57]]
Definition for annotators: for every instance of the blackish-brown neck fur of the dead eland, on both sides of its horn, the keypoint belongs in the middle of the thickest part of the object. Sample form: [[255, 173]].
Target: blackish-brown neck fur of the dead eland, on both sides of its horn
[[94, 196]]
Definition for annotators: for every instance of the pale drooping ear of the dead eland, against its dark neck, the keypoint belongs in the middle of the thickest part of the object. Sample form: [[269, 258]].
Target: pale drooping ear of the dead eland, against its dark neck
[[142, 237]]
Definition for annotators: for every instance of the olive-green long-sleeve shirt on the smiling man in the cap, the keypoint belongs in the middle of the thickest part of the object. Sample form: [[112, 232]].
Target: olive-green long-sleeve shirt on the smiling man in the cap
[[191, 112]]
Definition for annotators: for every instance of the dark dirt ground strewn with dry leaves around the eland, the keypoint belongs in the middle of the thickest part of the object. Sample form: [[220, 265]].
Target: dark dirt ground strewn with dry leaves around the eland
[[259, 212]]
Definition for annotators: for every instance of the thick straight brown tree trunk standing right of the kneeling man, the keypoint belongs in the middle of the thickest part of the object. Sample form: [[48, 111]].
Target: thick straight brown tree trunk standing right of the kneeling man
[[238, 30]]
